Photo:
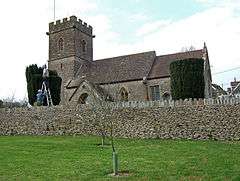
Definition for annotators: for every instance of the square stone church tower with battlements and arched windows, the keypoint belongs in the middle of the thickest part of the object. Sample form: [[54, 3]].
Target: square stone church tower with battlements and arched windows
[[70, 46]]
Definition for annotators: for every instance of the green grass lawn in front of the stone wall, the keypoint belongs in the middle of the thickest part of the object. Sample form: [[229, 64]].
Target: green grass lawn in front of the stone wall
[[79, 158]]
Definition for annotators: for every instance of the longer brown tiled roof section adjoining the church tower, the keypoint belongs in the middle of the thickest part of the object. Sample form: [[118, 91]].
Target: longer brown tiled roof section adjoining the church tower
[[123, 68]]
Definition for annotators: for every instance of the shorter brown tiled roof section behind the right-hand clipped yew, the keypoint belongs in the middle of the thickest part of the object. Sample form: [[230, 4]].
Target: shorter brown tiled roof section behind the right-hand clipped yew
[[162, 63]]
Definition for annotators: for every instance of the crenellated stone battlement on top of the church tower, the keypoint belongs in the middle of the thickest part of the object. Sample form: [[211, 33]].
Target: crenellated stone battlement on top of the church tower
[[71, 22]]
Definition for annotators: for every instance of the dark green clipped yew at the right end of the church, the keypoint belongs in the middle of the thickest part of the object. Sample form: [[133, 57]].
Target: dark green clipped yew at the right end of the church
[[187, 79]]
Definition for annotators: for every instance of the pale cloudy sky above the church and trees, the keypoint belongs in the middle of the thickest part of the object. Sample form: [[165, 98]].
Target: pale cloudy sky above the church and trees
[[121, 27]]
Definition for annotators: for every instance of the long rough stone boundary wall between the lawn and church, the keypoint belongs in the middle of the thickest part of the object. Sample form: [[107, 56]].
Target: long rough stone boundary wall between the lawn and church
[[217, 119]]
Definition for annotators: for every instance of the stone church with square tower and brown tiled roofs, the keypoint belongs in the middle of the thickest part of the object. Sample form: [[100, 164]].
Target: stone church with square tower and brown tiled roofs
[[135, 77]]
